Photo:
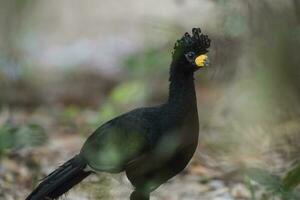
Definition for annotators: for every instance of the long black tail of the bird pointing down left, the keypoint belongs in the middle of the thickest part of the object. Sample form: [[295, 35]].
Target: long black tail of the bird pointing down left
[[61, 180]]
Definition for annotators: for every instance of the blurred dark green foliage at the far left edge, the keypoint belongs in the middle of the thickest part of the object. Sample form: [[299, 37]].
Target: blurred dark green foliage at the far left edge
[[15, 138]]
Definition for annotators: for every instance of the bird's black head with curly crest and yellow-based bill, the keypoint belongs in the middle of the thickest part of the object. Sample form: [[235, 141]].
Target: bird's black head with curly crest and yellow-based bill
[[190, 51]]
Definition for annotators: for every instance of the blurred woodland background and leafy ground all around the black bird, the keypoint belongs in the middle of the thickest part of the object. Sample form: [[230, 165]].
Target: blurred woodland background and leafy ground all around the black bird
[[68, 66]]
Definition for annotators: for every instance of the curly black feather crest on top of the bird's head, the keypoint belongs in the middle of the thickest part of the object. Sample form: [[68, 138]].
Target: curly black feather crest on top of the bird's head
[[198, 42]]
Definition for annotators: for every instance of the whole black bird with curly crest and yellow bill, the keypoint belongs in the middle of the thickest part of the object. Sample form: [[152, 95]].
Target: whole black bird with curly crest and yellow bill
[[150, 144]]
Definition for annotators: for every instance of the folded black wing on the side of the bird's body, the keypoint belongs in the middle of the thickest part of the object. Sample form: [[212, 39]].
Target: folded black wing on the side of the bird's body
[[116, 143]]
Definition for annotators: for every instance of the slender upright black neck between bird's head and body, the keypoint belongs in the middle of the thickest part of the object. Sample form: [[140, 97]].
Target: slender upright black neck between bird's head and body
[[182, 88]]
